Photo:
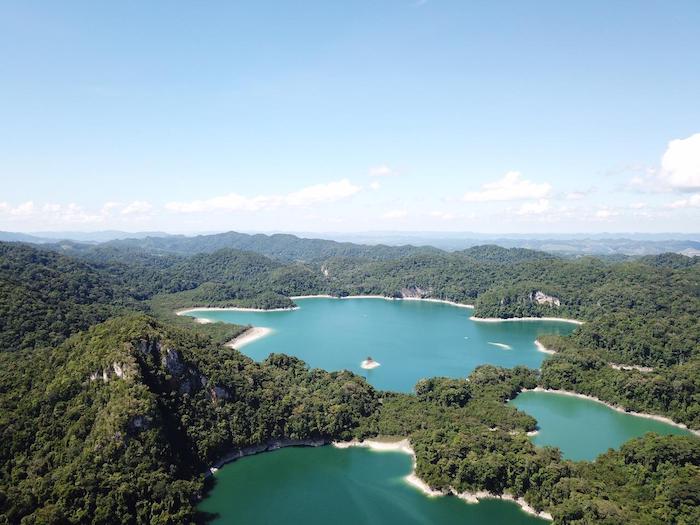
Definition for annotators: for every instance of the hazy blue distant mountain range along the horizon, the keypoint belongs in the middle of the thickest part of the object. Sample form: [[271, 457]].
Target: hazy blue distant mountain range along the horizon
[[357, 244]]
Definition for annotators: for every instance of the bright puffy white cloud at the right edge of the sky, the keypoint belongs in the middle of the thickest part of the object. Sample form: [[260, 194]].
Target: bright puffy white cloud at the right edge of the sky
[[680, 164]]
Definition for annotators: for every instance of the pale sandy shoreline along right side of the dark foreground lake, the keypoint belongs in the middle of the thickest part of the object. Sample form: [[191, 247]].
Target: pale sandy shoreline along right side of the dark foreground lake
[[470, 497]]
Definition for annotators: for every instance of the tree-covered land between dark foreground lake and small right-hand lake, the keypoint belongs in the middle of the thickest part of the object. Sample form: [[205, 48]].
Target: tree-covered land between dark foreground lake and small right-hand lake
[[466, 439]]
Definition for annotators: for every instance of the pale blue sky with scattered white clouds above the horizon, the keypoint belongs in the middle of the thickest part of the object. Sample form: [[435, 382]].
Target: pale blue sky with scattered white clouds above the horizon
[[520, 116]]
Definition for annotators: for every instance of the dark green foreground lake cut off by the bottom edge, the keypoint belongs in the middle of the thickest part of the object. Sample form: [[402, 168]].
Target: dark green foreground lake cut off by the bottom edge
[[344, 487]]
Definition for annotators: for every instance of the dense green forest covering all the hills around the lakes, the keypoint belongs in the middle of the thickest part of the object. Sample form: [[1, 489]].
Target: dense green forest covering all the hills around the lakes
[[111, 407]]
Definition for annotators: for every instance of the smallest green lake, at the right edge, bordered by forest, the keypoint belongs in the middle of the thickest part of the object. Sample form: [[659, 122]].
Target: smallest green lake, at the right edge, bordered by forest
[[581, 428]]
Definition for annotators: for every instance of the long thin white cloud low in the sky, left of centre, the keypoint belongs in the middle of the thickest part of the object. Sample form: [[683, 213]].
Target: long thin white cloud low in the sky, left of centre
[[311, 195]]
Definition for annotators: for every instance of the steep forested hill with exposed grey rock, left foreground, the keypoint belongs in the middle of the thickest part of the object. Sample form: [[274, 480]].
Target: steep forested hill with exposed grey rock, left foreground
[[117, 424]]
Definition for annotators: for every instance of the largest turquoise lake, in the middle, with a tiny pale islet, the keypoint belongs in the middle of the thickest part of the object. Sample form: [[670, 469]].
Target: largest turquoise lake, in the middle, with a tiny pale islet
[[411, 340]]
